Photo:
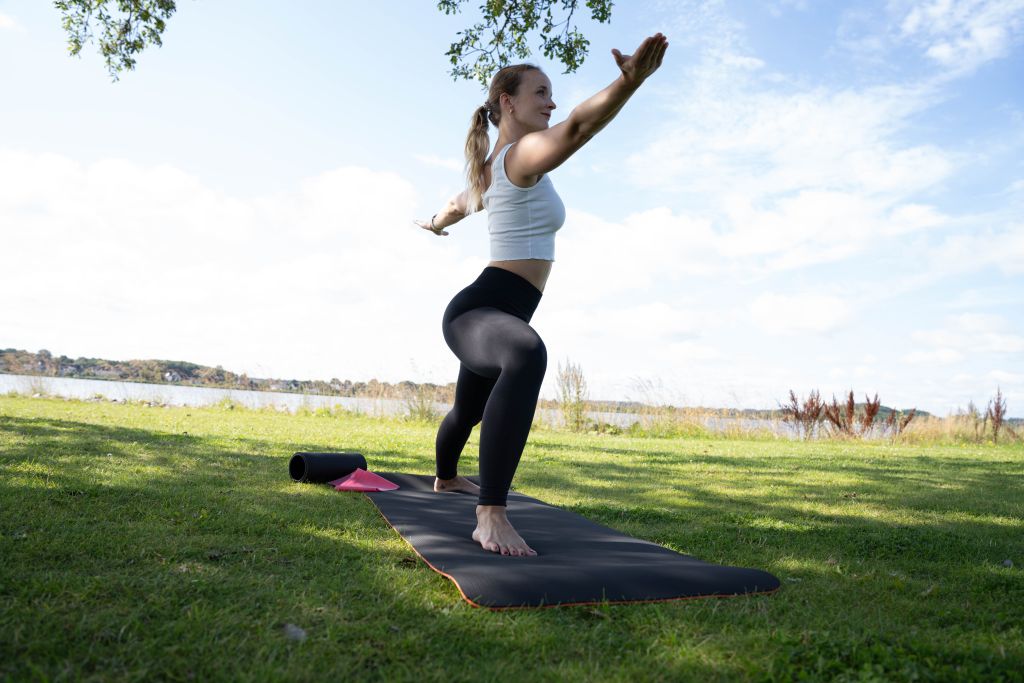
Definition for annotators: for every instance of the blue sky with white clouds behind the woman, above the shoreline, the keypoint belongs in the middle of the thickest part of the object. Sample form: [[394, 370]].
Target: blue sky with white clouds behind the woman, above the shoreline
[[806, 196]]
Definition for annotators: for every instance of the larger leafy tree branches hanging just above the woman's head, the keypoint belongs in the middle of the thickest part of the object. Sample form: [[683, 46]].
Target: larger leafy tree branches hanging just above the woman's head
[[517, 20]]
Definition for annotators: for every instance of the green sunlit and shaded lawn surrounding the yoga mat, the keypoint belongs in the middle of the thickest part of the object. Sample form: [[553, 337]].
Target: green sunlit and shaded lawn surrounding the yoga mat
[[144, 543]]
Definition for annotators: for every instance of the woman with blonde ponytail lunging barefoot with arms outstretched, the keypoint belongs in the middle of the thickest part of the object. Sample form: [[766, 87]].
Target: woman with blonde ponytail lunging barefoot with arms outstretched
[[487, 325]]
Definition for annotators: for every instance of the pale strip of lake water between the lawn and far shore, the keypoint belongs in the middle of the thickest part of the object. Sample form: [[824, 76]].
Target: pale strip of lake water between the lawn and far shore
[[175, 395]]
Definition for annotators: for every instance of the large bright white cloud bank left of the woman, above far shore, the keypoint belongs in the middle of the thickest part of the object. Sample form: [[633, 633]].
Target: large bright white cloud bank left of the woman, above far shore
[[126, 261]]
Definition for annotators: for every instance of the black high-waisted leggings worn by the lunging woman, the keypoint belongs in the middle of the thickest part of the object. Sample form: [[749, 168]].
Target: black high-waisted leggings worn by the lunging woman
[[503, 361]]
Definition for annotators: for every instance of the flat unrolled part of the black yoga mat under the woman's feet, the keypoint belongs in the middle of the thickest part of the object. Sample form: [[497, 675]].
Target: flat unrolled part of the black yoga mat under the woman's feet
[[578, 563]]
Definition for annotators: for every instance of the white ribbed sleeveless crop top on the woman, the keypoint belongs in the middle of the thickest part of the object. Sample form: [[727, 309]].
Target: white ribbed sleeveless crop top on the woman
[[523, 222]]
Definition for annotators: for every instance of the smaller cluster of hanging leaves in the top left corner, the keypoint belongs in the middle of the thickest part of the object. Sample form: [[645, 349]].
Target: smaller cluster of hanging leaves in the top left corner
[[127, 28]]
